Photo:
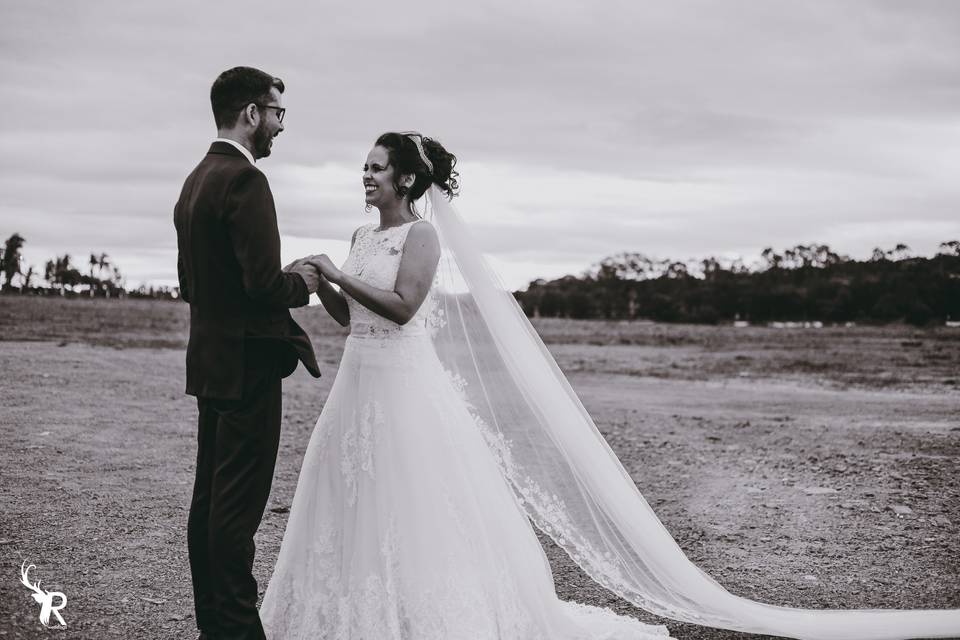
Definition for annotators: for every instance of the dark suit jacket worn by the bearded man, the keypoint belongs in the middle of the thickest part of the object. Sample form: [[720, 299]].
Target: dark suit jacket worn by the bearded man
[[230, 273]]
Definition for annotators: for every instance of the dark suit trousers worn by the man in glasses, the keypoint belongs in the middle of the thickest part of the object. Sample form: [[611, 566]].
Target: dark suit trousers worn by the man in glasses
[[236, 454]]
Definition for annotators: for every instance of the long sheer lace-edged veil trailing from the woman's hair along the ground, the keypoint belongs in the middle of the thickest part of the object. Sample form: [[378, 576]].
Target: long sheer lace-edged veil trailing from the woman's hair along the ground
[[569, 481]]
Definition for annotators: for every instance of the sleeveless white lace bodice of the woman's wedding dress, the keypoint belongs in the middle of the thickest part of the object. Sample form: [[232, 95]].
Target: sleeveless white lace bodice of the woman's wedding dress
[[375, 259]]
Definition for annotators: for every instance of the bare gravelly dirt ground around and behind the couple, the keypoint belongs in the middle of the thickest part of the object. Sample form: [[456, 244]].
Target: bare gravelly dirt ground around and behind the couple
[[814, 468]]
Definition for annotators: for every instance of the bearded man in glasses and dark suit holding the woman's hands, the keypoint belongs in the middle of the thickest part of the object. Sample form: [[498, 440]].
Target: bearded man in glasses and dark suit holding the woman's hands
[[242, 343]]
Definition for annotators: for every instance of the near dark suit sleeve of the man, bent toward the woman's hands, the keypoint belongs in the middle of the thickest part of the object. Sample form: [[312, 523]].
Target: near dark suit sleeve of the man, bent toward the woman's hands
[[251, 222]]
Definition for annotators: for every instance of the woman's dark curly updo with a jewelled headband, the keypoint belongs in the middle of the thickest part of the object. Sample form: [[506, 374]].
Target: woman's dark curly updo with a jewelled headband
[[434, 166]]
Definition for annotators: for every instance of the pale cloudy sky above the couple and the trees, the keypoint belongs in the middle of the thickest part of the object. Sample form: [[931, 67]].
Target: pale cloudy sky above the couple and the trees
[[675, 128]]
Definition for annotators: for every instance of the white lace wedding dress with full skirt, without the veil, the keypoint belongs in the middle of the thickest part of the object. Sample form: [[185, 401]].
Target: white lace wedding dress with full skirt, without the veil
[[403, 525]]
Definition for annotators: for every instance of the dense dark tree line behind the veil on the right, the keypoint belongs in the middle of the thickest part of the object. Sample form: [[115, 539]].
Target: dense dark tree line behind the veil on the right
[[804, 283]]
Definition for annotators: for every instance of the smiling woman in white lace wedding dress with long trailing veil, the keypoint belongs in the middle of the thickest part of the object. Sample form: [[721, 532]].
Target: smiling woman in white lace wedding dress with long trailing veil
[[448, 429]]
